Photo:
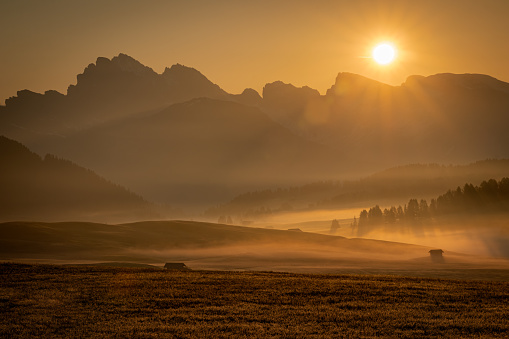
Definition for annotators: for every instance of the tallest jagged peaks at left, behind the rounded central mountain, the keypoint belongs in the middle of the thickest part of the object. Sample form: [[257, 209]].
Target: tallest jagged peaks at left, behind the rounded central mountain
[[106, 91]]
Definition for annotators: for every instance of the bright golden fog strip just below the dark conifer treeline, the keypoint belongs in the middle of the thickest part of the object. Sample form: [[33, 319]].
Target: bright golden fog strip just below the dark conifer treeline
[[482, 235]]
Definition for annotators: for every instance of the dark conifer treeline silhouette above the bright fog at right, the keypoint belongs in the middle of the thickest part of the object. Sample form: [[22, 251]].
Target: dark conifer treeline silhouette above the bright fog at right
[[490, 196]]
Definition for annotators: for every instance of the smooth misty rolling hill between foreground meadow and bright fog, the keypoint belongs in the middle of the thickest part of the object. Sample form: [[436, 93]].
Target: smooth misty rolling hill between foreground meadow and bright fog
[[206, 246]]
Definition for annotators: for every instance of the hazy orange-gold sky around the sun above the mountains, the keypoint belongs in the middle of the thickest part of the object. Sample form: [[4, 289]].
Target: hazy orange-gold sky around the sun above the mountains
[[239, 44]]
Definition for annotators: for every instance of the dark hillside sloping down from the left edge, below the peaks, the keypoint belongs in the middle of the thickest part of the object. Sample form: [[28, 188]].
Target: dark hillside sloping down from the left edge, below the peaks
[[49, 188]]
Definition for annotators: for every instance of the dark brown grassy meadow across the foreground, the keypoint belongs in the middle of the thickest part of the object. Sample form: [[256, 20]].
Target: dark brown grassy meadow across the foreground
[[86, 301]]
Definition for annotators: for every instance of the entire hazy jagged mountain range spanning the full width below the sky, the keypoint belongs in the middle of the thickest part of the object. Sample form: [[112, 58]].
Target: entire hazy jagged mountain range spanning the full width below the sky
[[178, 138]]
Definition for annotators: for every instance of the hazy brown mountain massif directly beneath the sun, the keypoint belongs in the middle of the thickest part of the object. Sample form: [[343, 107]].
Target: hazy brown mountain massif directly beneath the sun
[[451, 118]]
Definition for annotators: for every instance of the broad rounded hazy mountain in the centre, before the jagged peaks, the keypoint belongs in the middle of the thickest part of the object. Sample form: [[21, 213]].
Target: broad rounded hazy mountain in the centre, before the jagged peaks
[[201, 151]]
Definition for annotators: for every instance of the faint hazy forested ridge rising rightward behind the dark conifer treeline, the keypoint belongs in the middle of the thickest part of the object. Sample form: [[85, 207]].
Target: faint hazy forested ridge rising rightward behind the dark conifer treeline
[[394, 184]]
